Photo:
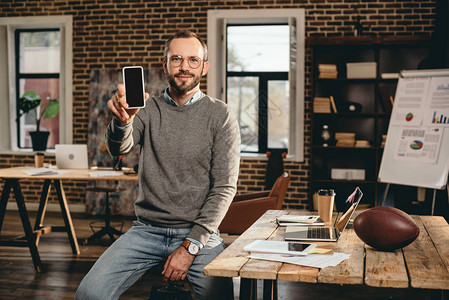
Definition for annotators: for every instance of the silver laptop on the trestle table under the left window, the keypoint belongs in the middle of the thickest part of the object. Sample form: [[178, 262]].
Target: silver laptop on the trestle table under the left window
[[70, 156]]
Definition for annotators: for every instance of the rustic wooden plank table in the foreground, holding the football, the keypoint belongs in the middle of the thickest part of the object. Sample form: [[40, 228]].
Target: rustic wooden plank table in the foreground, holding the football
[[424, 264]]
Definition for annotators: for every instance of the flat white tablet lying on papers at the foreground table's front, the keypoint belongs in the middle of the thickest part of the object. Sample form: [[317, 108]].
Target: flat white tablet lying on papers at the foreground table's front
[[280, 247]]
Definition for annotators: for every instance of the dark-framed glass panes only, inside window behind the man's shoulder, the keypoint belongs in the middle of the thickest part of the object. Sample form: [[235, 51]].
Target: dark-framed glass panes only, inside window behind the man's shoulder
[[257, 85]]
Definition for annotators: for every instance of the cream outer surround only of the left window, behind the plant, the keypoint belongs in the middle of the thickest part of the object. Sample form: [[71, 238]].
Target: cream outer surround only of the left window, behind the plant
[[8, 93]]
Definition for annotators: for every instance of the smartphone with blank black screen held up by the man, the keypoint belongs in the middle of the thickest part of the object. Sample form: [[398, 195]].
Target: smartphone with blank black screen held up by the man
[[134, 86]]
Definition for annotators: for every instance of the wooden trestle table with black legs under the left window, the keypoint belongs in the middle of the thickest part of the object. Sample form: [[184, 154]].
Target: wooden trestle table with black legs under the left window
[[12, 177]]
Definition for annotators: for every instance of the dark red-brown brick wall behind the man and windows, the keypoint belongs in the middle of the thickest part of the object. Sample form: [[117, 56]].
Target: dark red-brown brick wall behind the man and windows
[[112, 34]]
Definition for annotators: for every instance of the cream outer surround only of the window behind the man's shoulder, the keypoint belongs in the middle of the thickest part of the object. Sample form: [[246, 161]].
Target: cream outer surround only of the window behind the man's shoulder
[[217, 21]]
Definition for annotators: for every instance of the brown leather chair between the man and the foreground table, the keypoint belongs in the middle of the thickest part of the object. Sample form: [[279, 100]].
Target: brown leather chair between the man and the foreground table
[[245, 209]]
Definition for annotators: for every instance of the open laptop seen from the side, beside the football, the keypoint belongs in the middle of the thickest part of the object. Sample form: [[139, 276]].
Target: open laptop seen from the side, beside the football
[[326, 234]]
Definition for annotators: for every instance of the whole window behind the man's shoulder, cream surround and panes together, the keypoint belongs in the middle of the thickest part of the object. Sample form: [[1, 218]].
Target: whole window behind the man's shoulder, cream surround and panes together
[[257, 67]]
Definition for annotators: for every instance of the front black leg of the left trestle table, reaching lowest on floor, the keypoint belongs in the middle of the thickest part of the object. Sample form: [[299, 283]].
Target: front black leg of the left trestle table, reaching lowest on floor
[[26, 225]]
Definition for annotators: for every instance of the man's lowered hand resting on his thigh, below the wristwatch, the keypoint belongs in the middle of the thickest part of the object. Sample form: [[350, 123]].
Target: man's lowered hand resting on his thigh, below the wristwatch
[[177, 265]]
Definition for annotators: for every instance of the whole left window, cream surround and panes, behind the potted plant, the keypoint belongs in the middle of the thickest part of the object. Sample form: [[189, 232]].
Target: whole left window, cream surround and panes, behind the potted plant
[[37, 53]]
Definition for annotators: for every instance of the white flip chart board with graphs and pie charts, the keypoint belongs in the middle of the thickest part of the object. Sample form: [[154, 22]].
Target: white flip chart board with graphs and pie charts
[[417, 147]]
